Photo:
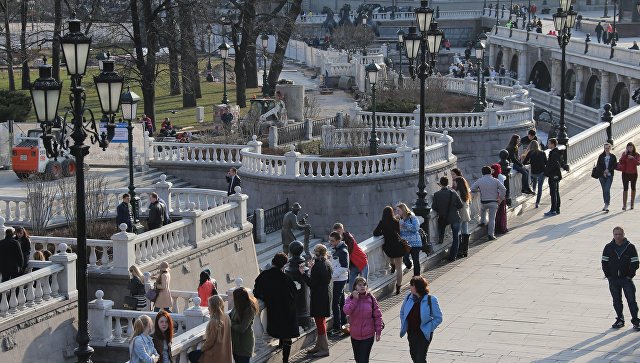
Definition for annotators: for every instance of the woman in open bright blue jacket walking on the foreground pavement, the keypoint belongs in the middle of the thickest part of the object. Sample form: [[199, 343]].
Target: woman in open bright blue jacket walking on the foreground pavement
[[420, 315]]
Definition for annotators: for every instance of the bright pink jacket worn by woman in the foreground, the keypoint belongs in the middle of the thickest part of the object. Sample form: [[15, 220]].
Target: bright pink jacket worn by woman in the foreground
[[365, 317]]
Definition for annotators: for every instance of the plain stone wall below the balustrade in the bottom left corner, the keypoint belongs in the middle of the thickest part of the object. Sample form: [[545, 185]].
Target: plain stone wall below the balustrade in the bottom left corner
[[41, 336]]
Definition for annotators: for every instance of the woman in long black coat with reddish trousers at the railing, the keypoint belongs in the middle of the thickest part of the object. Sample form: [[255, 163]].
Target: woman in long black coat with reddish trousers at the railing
[[319, 279]]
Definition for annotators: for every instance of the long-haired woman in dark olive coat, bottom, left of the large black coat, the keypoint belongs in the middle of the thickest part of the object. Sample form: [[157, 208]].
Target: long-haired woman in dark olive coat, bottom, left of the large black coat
[[245, 308]]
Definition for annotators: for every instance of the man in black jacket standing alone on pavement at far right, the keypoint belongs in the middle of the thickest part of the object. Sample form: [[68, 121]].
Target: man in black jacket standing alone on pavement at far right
[[619, 264]]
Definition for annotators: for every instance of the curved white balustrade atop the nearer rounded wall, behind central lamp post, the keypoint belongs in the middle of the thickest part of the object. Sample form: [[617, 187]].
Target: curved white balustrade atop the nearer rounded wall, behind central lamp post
[[294, 165]]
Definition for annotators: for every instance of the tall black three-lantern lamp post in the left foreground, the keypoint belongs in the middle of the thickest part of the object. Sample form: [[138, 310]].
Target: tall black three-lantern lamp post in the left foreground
[[45, 93]]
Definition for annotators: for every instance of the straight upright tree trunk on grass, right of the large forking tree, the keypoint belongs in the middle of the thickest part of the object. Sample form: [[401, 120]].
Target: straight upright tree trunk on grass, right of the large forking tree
[[188, 54]]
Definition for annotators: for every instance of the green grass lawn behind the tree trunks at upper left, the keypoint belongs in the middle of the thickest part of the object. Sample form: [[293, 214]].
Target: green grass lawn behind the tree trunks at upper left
[[165, 103]]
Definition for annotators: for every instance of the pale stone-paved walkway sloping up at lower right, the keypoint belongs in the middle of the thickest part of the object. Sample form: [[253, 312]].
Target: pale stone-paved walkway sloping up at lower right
[[536, 294]]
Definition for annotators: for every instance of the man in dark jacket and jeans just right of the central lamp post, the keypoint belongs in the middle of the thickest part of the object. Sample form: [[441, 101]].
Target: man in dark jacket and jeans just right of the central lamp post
[[446, 203]]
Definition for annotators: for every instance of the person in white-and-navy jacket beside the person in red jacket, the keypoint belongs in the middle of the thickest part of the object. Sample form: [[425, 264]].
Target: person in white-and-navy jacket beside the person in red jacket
[[340, 276]]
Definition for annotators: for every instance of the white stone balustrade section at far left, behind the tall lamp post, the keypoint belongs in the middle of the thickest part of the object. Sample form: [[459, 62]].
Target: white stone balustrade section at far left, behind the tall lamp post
[[53, 281]]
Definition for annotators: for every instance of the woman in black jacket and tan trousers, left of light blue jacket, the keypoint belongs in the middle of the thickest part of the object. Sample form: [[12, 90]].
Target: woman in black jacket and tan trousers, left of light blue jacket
[[389, 228]]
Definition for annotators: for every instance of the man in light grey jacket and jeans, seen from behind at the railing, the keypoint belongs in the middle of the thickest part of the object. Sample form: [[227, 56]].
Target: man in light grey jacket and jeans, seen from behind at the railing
[[492, 192]]
